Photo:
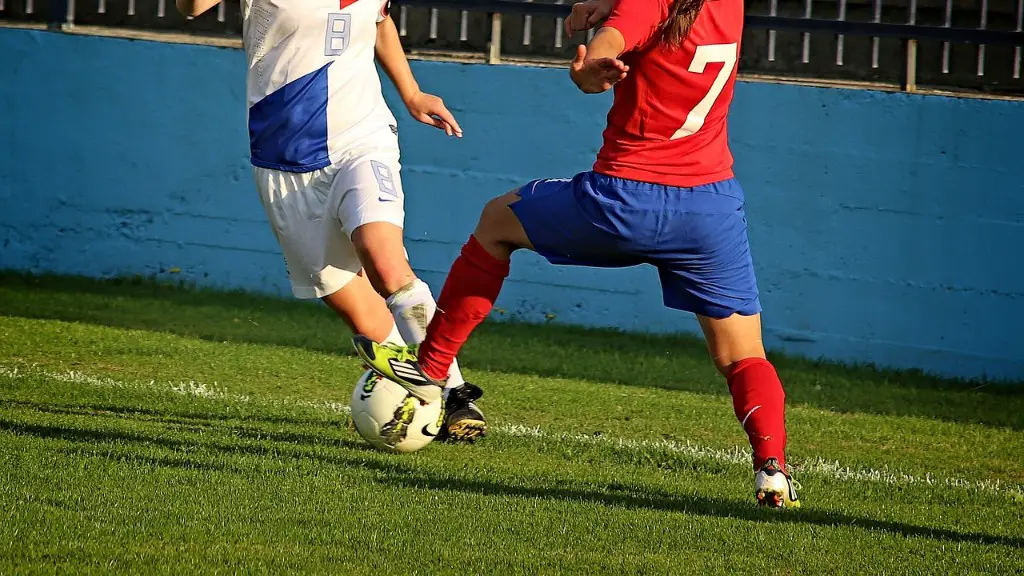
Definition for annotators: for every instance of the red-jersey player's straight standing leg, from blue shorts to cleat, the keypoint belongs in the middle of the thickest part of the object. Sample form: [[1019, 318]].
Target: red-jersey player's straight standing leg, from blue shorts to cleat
[[712, 275]]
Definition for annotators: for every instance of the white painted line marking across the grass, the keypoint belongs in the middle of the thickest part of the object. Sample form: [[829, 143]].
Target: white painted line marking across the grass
[[737, 456]]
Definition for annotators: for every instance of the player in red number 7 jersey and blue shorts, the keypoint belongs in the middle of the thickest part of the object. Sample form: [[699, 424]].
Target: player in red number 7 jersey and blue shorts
[[662, 193]]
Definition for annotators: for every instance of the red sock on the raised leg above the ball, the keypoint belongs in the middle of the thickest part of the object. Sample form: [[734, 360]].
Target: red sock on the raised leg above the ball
[[470, 294]]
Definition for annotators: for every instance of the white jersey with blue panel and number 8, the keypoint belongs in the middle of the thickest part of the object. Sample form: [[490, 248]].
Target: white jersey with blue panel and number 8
[[313, 88]]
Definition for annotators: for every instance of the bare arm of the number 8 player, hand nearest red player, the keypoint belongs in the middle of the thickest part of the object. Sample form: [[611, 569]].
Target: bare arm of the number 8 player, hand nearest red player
[[423, 107]]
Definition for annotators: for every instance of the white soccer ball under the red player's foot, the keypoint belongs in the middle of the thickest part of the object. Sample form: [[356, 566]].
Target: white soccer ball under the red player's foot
[[392, 420]]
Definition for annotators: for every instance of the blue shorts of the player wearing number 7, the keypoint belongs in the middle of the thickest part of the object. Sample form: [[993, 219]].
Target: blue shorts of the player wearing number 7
[[696, 237]]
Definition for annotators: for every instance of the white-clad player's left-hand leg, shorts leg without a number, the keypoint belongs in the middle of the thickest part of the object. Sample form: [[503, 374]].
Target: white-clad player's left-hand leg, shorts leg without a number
[[320, 260]]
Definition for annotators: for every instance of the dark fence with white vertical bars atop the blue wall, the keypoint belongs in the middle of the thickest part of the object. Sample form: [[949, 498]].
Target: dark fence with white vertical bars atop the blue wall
[[970, 46]]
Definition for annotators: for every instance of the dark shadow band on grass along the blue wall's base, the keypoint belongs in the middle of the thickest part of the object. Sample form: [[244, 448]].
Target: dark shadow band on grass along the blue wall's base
[[670, 362]]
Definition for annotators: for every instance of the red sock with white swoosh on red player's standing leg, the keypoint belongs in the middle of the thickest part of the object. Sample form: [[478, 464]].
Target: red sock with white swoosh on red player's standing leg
[[760, 405]]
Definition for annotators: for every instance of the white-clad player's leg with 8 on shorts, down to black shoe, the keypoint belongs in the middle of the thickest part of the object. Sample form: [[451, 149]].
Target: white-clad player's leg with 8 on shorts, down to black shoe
[[370, 204]]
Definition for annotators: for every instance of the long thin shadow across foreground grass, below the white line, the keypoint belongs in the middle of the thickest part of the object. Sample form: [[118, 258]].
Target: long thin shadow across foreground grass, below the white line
[[354, 455]]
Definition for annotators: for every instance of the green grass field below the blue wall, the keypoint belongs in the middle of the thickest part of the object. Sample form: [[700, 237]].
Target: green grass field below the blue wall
[[151, 429]]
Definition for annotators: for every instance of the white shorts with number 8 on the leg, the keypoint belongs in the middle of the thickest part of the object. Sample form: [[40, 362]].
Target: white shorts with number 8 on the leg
[[315, 214]]
